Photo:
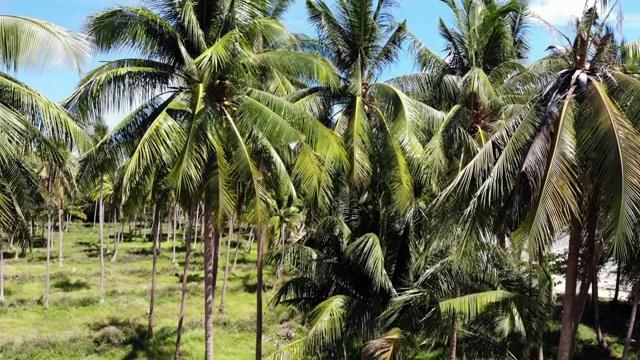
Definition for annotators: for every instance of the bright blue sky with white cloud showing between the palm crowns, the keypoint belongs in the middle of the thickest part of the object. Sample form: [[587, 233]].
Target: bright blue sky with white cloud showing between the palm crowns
[[421, 16]]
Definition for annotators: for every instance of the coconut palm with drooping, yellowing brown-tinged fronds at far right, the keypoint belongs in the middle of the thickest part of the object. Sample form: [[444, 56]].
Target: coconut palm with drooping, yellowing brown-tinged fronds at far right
[[579, 133]]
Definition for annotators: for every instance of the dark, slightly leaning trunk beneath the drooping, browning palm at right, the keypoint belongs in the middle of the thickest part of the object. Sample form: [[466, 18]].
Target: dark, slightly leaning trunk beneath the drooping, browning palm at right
[[566, 344]]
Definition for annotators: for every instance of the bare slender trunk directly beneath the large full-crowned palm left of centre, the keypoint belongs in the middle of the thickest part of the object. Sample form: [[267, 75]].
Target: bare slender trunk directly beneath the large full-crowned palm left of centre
[[211, 241]]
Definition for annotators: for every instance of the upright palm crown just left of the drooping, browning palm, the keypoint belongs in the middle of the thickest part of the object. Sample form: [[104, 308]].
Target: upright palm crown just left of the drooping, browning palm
[[485, 46]]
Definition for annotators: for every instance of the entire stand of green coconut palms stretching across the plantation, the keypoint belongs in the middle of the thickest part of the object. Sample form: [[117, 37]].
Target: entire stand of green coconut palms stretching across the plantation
[[399, 216]]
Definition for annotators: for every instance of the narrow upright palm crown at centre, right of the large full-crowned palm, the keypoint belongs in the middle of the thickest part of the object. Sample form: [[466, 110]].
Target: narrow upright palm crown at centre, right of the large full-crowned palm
[[376, 120]]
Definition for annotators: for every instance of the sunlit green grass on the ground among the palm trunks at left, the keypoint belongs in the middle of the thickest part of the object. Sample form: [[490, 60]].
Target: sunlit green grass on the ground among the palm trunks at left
[[79, 325]]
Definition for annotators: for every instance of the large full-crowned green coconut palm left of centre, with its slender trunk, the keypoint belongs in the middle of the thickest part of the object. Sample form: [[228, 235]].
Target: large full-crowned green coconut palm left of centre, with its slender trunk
[[203, 107]]
